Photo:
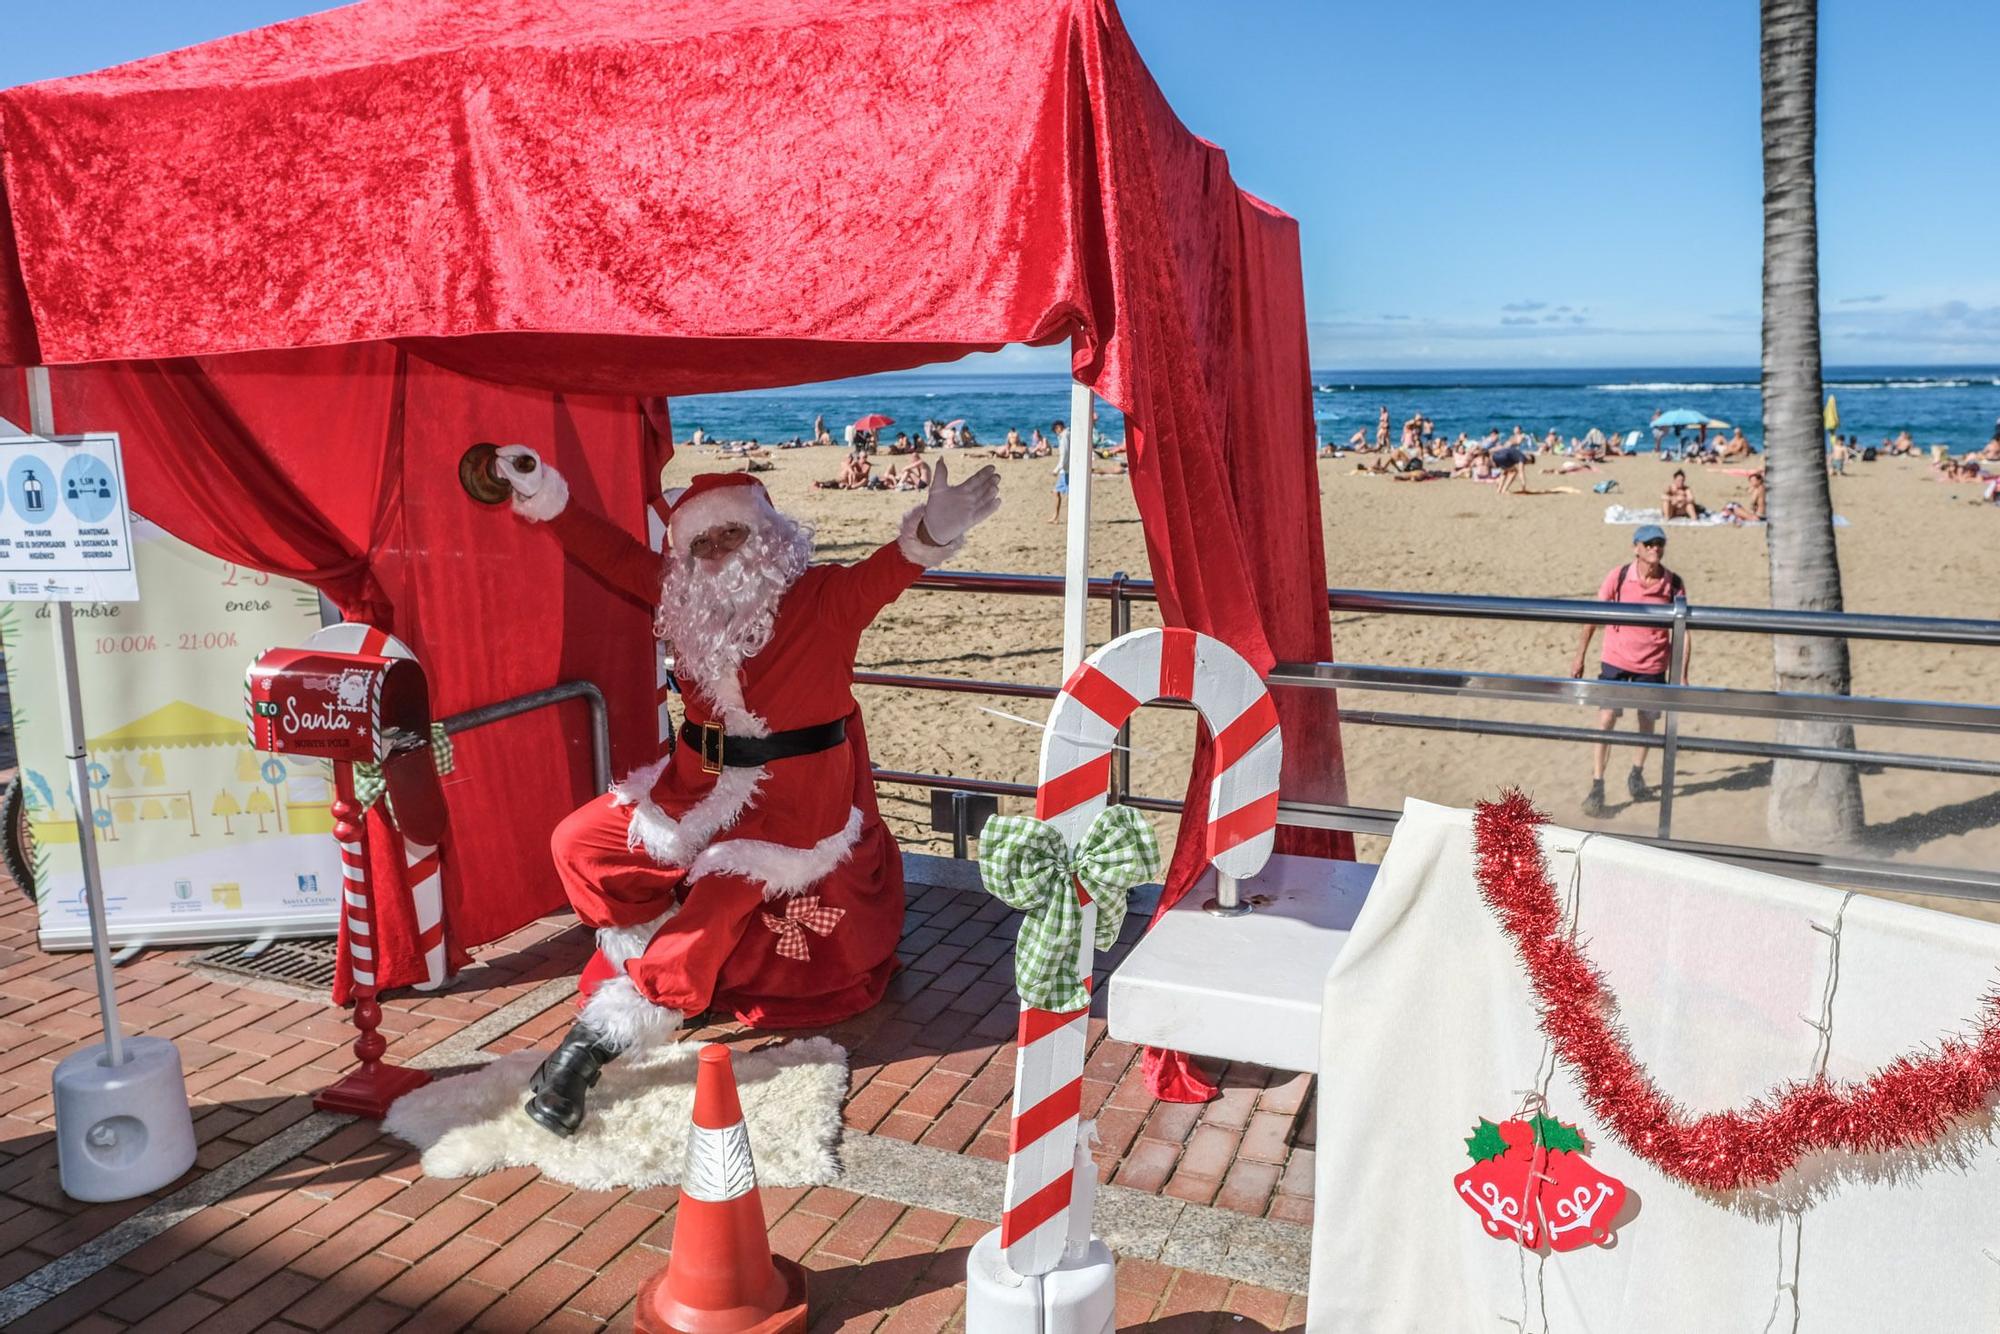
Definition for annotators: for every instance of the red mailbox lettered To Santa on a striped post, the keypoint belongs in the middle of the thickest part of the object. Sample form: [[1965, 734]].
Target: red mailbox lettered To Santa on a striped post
[[353, 709]]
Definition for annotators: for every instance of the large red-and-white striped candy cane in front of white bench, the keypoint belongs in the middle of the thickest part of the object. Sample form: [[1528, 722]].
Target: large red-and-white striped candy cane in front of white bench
[[1049, 1179]]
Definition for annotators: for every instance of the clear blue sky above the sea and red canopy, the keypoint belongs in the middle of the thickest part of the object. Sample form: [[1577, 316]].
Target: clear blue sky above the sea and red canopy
[[1531, 185]]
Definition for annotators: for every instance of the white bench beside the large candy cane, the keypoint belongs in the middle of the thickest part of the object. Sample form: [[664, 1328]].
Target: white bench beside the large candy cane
[[1247, 987]]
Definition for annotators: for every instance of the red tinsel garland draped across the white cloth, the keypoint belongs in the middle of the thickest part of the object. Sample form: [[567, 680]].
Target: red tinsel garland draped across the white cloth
[[1911, 1103]]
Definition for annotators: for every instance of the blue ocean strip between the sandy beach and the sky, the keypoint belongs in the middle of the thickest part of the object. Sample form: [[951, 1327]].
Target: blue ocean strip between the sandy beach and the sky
[[1945, 405]]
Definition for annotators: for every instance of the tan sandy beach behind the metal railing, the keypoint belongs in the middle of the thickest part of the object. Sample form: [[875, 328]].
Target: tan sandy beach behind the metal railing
[[1447, 537]]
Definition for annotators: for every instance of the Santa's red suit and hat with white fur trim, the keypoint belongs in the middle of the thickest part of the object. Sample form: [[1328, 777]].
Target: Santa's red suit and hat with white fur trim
[[773, 891]]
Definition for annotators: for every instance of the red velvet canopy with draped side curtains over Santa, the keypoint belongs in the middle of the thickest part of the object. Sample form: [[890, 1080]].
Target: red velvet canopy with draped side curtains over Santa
[[301, 267]]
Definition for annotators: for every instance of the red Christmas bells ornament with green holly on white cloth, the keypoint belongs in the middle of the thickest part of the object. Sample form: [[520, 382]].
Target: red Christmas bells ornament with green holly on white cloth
[[1531, 1185]]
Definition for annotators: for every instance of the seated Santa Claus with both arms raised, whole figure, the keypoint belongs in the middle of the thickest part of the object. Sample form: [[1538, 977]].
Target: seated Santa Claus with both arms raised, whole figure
[[747, 871]]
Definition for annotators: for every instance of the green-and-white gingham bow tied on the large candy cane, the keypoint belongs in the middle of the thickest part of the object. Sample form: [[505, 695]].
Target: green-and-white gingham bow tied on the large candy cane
[[1027, 865]]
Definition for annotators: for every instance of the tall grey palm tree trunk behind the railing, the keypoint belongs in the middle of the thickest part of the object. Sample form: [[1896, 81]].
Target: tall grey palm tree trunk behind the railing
[[1811, 803]]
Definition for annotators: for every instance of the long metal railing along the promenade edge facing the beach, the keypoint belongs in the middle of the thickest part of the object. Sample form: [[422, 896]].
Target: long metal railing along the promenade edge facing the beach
[[1671, 701]]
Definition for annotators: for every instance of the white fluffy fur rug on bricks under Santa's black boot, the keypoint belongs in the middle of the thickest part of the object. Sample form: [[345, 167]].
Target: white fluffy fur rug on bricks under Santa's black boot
[[639, 1119]]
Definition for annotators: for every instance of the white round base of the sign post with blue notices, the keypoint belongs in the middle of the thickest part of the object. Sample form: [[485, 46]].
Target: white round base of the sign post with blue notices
[[123, 1131]]
